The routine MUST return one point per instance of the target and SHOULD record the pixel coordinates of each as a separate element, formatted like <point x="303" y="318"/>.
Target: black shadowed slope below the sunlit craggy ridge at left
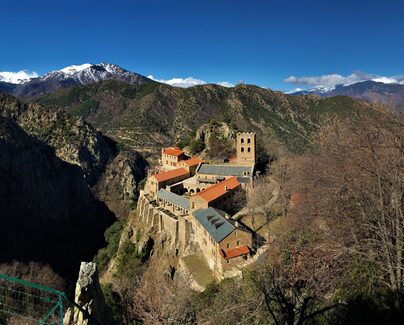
<point x="47" y="211"/>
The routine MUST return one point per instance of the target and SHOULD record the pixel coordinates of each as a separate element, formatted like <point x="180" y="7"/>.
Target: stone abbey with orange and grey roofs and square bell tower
<point x="196" y="203"/>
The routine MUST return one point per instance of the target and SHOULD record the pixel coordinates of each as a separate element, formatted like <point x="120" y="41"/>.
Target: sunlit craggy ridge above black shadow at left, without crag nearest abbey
<point x="75" y="141"/>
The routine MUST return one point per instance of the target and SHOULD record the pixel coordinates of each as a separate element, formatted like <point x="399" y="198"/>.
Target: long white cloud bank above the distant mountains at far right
<point x="337" y="79"/>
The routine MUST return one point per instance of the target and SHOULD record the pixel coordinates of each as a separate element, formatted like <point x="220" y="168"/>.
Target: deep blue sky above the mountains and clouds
<point x="258" y="42"/>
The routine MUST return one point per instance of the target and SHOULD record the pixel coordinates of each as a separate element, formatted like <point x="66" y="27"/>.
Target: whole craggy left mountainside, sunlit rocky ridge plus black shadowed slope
<point x="61" y="182"/>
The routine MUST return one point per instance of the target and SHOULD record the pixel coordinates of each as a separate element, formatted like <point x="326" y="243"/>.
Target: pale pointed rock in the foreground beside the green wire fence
<point x="89" y="296"/>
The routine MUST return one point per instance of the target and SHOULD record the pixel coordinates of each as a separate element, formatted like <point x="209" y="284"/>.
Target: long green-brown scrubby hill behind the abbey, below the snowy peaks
<point x="155" y="114"/>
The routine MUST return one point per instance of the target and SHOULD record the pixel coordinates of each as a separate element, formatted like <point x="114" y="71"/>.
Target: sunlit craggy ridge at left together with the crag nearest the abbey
<point x="114" y="177"/>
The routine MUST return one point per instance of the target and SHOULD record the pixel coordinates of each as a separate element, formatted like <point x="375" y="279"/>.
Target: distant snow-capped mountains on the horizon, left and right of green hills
<point x="391" y="95"/>
